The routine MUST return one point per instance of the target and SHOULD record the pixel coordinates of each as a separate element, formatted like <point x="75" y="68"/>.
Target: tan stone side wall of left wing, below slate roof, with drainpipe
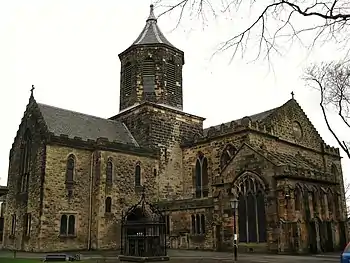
<point x="105" y="227"/>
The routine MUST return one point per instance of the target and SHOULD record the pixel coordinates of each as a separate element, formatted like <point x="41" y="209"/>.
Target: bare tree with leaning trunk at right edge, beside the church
<point x="333" y="82"/>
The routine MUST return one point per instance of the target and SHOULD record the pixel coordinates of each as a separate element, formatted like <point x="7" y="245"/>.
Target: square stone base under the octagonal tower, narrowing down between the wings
<point x="163" y="128"/>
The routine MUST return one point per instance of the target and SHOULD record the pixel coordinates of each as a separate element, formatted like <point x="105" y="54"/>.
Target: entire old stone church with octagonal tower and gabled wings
<point x="71" y="175"/>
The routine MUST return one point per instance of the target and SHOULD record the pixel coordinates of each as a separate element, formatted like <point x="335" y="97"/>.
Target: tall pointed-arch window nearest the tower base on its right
<point x="201" y="177"/>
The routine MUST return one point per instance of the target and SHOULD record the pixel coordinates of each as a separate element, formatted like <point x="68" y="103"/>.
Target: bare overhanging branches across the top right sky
<point x="276" y="21"/>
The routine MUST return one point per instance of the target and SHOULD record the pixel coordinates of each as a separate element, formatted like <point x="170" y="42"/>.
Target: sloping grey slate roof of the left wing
<point x="61" y="121"/>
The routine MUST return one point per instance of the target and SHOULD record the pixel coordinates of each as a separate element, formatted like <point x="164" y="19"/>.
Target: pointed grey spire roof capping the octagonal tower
<point x="151" y="33"/>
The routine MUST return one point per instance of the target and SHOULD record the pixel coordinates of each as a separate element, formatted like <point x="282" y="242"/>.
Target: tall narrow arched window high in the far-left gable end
<point x="25" y="160"/>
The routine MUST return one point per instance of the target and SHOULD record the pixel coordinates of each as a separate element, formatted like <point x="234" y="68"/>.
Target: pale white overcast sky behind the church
<point x="69" y="51"/>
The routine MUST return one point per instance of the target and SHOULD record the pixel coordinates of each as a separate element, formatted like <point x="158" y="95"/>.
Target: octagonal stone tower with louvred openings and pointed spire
<point x="151" y="70"/>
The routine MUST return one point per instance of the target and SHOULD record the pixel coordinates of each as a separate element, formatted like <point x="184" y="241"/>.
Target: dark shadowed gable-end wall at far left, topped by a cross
<point x="30" y="201"/>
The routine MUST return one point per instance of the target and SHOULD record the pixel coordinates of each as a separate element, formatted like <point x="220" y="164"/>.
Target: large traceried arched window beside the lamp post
<point x="251" y="209"/>
